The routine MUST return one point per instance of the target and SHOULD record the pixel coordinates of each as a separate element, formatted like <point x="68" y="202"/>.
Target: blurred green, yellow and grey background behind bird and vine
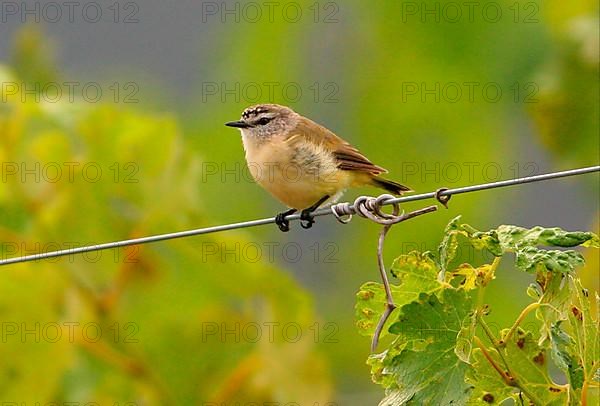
<point x="440" y="99"/>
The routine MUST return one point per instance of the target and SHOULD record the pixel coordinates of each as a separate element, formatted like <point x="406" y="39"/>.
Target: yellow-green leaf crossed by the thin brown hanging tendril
<point x="417" y="274"/>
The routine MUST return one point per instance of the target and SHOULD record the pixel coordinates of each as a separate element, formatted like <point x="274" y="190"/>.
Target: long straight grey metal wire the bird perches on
<point x="320" y="212"/>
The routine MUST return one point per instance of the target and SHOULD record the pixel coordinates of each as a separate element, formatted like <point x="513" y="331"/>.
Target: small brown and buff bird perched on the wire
<point x="302" y="163"/>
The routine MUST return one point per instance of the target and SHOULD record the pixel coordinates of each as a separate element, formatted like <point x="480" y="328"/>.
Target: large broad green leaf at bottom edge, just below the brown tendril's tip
<point x="425" y="367"/>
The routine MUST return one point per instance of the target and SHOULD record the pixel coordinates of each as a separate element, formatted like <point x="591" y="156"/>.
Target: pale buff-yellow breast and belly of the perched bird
<point x="298" y="175"/>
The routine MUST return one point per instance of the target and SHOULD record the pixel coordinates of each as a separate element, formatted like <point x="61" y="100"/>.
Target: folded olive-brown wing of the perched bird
<point x="346" y="156"/>
